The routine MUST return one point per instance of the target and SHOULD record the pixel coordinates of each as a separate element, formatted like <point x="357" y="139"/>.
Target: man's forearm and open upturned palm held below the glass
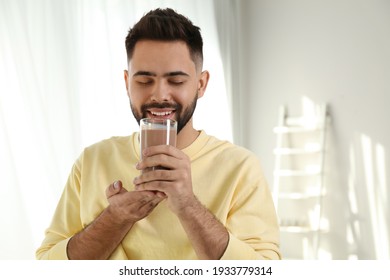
<point x="100" y="238"/>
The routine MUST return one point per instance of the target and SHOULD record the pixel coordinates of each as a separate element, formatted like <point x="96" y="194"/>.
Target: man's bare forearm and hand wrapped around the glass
<point x="208" y="236"/>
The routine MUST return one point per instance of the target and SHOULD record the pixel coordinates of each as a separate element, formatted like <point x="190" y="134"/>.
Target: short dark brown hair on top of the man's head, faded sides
<point x="166" y="25"/>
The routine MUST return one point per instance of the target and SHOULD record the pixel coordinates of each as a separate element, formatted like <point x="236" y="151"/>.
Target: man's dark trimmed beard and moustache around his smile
<point x="181" y="116"/>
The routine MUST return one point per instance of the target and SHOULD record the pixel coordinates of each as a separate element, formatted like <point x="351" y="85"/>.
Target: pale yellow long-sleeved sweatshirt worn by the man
<point x="227" y="179"/>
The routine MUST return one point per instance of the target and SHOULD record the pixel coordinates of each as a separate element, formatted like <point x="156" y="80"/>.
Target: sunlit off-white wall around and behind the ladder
<point x="334" y="51"/>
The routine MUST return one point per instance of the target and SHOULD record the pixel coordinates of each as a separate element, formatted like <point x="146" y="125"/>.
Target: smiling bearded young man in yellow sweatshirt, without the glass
<point x="211" y="201"/>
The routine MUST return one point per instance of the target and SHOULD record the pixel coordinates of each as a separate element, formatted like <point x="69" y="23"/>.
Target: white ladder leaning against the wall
<point x="298" y="186"/>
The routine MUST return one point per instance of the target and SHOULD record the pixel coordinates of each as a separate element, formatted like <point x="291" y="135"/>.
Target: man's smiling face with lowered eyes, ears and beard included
<point x="163" y="82"/>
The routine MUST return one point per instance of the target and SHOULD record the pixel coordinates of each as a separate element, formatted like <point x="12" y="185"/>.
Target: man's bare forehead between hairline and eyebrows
<point x="161" y="56"/>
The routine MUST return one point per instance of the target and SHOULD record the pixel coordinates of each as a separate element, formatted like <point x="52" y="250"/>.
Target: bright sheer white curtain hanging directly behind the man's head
<point x="62" y="89"/>
